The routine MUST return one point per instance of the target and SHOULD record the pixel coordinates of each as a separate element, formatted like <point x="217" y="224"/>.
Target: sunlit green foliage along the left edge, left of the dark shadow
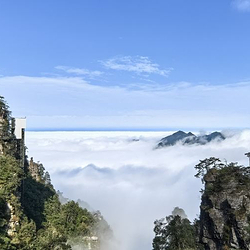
<point x="10" y="186"/>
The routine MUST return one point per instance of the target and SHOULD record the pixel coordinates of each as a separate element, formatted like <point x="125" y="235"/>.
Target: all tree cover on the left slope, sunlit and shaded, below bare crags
<point x="43" y="222"/>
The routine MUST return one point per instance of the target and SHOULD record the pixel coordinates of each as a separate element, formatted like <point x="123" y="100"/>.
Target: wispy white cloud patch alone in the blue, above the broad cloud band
<point x="137" y="64"/>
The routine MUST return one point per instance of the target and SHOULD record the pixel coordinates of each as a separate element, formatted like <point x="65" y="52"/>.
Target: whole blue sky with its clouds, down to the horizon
<point x="126" y="64"/>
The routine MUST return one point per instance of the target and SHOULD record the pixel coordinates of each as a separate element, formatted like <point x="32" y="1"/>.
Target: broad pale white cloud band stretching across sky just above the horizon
<point x="71" y="102"/>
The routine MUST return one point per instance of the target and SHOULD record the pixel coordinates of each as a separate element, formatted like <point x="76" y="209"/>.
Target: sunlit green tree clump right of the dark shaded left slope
<point x="64" y="222"/>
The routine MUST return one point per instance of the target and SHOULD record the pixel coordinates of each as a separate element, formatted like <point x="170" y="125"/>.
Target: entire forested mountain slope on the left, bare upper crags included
<point x="31" y="215"/>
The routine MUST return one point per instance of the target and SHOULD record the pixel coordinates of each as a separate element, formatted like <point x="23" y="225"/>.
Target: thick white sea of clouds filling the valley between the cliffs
<point x="126" y="178"/>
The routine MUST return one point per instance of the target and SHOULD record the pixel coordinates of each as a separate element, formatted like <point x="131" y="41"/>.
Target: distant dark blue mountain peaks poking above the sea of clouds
<point x="189" y="138"/>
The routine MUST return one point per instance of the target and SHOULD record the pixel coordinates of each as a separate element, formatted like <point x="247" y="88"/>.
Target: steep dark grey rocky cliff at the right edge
<point x="225" y="209"/>
